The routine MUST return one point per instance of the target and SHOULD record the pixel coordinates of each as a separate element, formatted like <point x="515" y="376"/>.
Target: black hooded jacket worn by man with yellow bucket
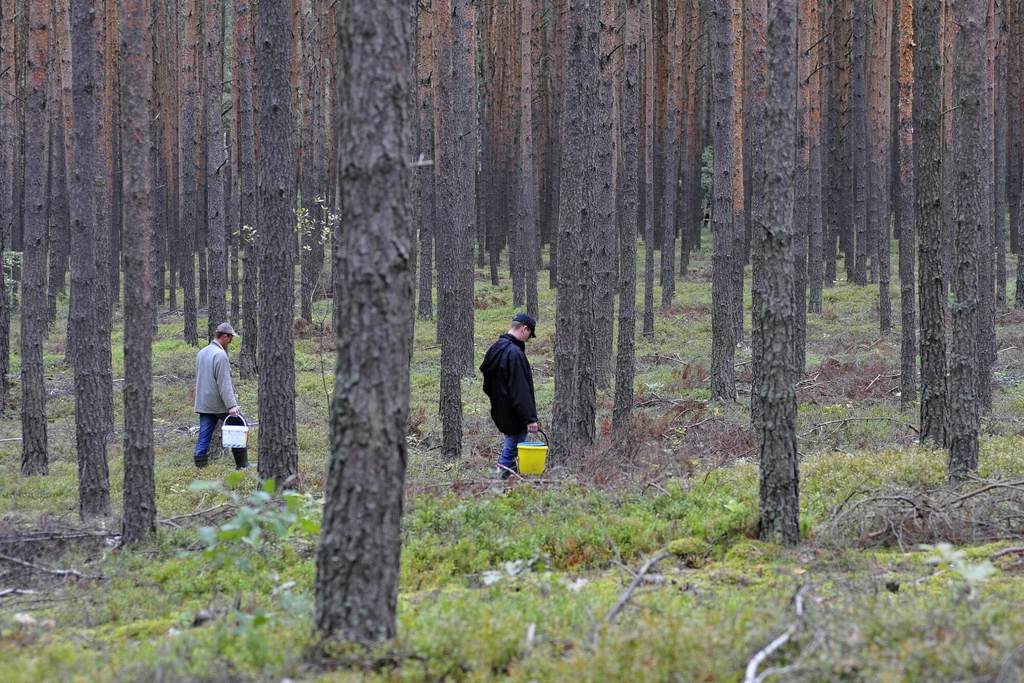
<point x="508" y="381"/>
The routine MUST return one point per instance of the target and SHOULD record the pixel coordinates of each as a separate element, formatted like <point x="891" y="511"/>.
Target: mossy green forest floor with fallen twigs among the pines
<point x="639" y="567"/>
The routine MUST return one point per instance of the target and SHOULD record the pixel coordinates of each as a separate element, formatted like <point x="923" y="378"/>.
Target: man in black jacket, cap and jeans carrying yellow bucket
<point x="508" y="381"/>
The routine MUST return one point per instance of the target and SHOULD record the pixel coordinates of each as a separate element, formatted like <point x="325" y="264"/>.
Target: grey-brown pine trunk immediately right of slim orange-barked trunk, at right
<point x="929" y="190"/>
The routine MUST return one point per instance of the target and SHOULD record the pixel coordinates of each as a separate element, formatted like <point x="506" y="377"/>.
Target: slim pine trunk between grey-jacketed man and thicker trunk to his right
<point x="248" y="198"/>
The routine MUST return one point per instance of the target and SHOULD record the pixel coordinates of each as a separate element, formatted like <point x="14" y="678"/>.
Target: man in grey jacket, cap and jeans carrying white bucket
<point x="216" y="396"/>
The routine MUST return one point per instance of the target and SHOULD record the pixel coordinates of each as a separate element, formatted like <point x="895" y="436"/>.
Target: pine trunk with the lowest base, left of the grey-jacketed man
<point x="140" y="486"/>
